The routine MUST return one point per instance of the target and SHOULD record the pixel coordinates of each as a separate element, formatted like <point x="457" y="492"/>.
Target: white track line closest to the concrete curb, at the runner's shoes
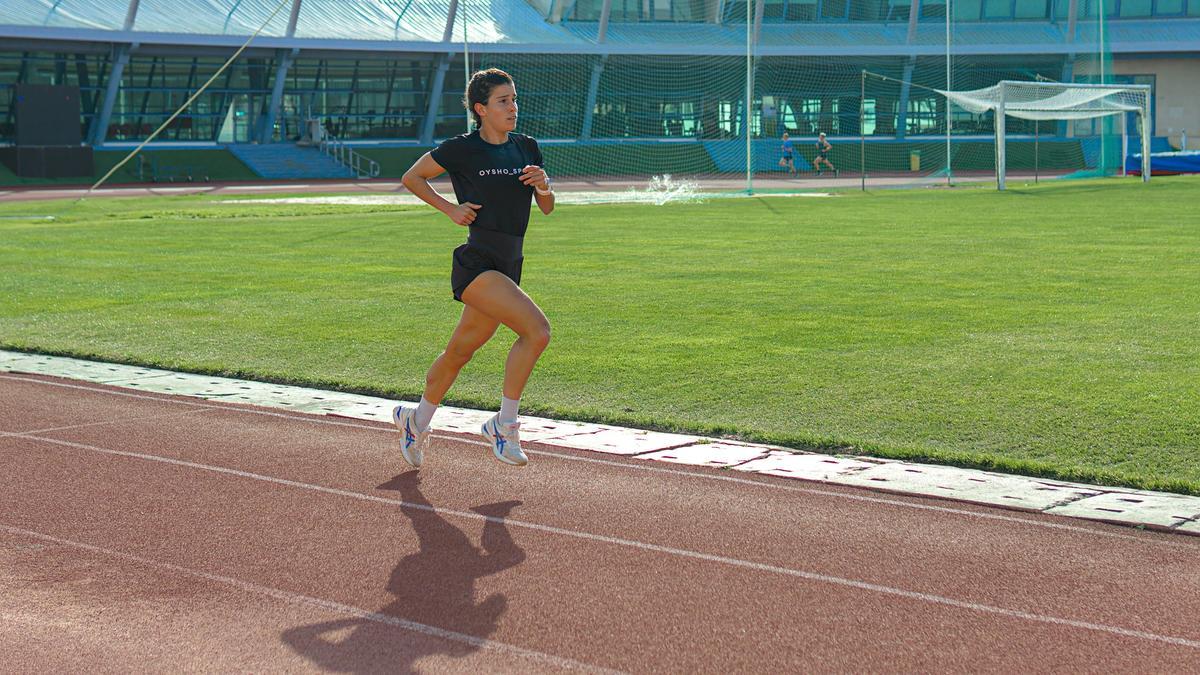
<point x="1147" y="539"/>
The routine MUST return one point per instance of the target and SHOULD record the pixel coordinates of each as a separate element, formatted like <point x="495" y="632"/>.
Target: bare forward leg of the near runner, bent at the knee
<point x="499" y="297"/>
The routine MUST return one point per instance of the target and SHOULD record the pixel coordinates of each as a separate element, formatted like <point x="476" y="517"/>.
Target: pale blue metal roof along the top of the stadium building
<point x="519" y="26"/>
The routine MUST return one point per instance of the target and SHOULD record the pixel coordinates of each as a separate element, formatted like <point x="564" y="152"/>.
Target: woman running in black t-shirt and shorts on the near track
<point x="495" y="172"/>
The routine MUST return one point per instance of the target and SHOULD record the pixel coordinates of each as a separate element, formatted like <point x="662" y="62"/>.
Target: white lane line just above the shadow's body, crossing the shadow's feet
<point x="657" y="548"/>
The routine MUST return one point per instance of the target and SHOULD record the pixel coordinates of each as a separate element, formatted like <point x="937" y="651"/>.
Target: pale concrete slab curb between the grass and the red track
<point x="1139" y="509"/>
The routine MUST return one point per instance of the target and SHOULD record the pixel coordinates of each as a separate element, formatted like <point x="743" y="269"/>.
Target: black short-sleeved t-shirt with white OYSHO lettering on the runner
<point x="490" y="176"/>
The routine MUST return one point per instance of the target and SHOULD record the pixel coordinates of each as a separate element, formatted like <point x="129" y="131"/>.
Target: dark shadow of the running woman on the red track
<point x="435" y="612"/>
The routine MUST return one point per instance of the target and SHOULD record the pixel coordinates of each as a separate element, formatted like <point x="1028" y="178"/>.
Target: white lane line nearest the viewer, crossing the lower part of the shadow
<point x="298" y="599"/>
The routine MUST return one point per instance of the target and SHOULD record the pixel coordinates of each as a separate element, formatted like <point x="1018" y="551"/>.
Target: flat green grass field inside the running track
<point x="1048" y="331"/>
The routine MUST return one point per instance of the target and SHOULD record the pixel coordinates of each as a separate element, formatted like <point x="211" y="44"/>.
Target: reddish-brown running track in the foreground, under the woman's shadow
<point x="151" y="533"/>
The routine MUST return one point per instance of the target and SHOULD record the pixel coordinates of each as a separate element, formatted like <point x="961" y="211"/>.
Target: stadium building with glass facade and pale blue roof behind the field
<point x="392" y="73"/>
